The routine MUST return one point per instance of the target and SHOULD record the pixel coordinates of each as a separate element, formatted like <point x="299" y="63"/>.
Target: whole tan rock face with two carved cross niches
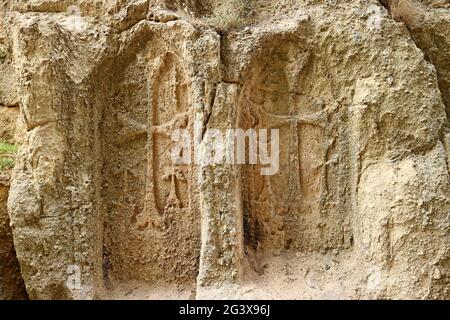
<point x="358" y="208"/>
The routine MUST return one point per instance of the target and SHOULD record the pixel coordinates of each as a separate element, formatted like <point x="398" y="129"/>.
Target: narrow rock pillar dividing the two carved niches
<point x="221" y="251"/>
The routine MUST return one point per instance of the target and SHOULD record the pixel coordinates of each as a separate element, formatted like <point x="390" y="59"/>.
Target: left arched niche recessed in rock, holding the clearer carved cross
<point x="152" y="225"/>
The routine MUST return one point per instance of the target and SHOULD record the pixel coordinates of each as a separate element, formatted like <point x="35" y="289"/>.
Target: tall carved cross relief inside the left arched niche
<point x="168" y="111"/>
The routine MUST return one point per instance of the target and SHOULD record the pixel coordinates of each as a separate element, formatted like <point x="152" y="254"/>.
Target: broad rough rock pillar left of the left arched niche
<point x="53" y="202"/>
